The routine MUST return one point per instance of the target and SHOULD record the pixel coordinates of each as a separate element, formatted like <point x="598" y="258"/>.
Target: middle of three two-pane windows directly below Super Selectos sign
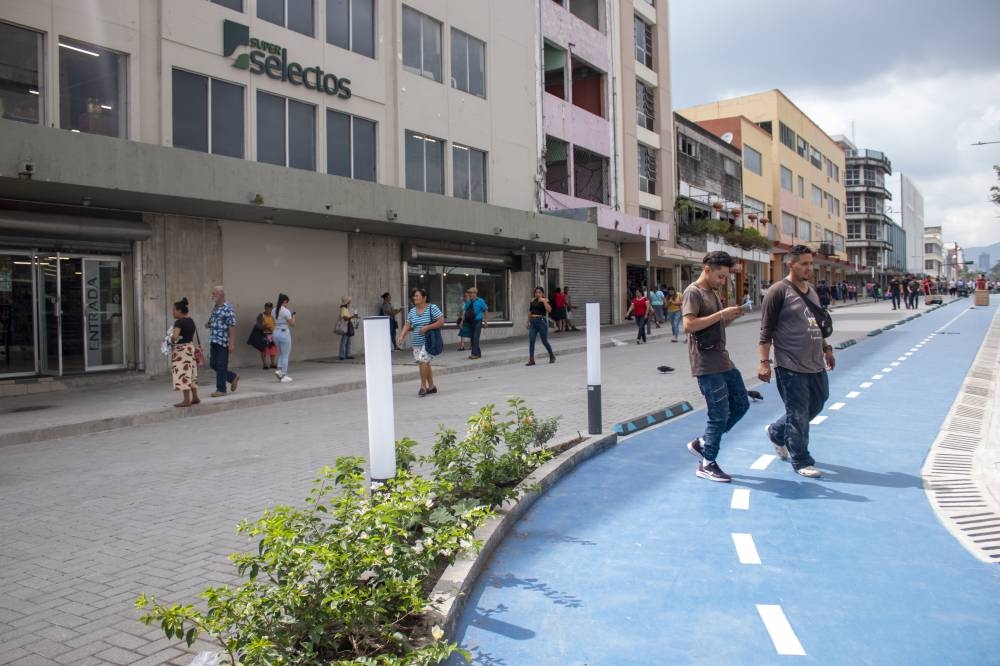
<point x="286" y="132"/>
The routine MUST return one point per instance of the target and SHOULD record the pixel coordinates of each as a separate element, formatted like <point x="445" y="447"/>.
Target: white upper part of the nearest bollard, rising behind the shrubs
<point x="378" y="393"/>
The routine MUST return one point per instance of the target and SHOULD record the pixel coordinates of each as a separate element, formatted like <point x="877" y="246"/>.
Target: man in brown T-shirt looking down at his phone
<point x="705" y="321"/>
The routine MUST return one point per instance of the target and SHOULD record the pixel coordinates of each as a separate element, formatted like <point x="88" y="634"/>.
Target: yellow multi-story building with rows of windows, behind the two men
<point x="799" y="181"/>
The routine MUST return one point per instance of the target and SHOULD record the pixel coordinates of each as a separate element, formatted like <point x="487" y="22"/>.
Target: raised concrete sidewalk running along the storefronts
<point x="121" y="404"/>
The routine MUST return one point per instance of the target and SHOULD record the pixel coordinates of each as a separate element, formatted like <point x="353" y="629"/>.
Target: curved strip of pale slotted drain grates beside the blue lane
<point x="956" y="493"/>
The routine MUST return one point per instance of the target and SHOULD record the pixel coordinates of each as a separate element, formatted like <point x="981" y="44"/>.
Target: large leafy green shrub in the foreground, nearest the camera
<point x="340" y="581"/>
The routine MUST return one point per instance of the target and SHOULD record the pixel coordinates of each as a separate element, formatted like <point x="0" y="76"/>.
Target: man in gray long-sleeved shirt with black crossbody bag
<point x="801" y="359"/>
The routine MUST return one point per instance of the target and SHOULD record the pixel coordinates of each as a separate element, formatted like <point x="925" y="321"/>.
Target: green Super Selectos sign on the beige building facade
<point x="272" y="60"/>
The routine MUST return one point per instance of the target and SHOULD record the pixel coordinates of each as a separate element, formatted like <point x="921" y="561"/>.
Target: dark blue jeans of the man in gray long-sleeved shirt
<point x="804" y="395"/>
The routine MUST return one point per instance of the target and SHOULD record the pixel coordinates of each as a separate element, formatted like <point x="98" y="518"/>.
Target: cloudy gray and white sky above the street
<point x="919" y="79"/>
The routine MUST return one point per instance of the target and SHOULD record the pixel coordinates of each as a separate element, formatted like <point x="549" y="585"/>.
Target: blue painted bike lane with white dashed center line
<point x="631" y="559"/>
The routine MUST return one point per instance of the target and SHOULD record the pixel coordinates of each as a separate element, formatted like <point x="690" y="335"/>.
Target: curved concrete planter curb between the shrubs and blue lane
<point x="452" y="590"/>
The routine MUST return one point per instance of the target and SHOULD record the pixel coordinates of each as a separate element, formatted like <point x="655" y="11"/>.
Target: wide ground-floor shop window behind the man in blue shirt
<point x="446" y="286"/>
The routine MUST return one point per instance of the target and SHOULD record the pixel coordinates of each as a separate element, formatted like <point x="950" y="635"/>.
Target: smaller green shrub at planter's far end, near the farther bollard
<point x="494" y="456"/>
